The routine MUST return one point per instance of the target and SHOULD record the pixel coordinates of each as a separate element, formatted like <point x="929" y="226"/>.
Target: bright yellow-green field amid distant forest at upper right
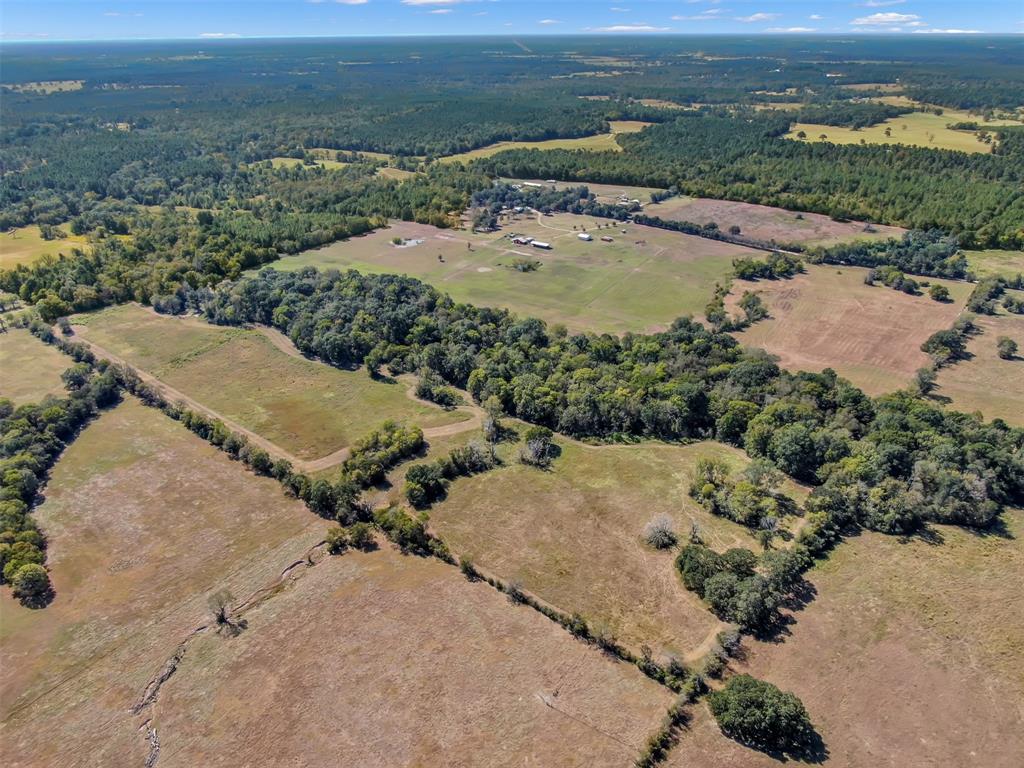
<point x="916" y="130"/>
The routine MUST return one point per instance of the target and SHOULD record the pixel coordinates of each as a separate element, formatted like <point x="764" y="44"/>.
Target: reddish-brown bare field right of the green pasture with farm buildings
<point x="828" y="318"/>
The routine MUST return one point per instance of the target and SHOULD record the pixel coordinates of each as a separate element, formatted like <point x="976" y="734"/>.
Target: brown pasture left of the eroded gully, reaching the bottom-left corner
<point x="144" y="522"/>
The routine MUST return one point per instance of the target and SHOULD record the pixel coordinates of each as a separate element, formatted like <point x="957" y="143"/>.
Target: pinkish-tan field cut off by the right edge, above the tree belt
<point x="987" y="382"/>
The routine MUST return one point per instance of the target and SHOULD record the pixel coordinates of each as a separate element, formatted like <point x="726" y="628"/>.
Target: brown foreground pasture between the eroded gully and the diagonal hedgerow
<point x="420" y="667"/>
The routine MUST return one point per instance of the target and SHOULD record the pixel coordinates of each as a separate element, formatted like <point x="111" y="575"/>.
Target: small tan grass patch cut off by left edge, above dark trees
<point x="30" y="370"/>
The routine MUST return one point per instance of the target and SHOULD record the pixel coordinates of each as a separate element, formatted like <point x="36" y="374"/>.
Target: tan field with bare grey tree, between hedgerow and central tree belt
<point x="573" y="536"/>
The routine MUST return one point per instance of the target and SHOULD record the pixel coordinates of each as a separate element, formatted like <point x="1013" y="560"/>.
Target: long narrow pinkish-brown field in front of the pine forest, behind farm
<point x="766" y="224"/>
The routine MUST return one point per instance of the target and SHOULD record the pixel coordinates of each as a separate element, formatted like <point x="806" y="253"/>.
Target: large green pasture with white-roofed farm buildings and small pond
<point x="643" y="281"/>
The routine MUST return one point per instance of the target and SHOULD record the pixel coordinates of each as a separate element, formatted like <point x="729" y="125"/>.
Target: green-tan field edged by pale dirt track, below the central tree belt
<point x="308" y="408"/>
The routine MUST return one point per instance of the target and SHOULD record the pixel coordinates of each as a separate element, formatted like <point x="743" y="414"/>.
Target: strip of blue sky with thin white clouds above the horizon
<point x="86" y="20"/>
